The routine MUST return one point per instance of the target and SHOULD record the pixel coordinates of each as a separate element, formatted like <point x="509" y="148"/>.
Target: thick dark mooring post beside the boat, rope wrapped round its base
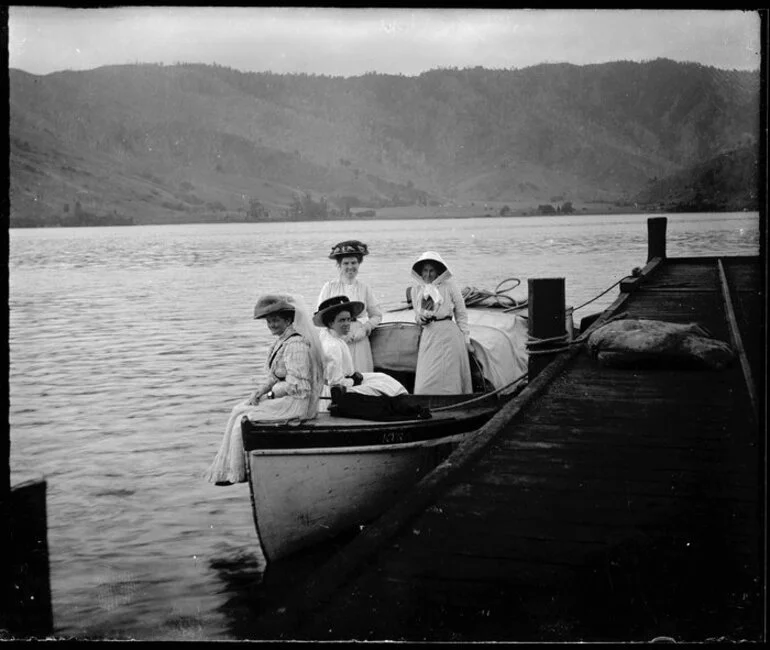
<point x="547" y="321"/>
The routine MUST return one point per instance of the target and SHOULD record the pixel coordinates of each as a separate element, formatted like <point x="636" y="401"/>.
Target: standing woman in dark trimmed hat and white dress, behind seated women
<point x="349" y="255"/>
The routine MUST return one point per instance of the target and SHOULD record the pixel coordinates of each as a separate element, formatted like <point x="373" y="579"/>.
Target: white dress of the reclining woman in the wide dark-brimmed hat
<point x="339" y="366"/>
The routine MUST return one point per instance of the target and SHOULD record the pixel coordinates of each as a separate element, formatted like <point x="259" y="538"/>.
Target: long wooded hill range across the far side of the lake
<point x="153" y="143"/>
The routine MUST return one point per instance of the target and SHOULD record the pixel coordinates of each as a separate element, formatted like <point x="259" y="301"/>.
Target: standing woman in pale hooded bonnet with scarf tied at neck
<point x="442" y="359"/>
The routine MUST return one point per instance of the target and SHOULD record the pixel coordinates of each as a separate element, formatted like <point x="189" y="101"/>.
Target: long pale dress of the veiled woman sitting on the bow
<point x="289" y="364"/>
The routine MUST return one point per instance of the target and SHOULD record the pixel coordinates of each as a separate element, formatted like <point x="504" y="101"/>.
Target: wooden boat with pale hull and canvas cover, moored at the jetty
<point x="313" y="481"/>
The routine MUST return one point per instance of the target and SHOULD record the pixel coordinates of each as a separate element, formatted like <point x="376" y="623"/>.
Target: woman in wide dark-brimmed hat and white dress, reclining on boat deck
<point x="335" y="315"/>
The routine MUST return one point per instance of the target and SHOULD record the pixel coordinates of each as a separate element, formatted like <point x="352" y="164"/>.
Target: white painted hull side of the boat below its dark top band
<point x="304" y="496"/>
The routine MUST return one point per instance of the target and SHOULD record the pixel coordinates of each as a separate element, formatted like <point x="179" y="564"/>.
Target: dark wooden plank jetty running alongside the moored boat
<point x="599" y="505"/>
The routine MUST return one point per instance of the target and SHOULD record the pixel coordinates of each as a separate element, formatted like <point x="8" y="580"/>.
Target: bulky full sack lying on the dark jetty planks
<point x="642" y="343"/>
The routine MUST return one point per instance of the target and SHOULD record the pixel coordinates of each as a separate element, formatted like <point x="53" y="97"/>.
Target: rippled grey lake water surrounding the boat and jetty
<point x="128" y="347"/>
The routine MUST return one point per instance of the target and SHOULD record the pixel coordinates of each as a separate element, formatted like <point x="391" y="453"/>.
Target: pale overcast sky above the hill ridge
<point x="353" y="41"/>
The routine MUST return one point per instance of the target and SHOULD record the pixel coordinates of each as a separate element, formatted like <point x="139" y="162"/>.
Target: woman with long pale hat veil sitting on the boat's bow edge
<point x="294" y="369"/>
